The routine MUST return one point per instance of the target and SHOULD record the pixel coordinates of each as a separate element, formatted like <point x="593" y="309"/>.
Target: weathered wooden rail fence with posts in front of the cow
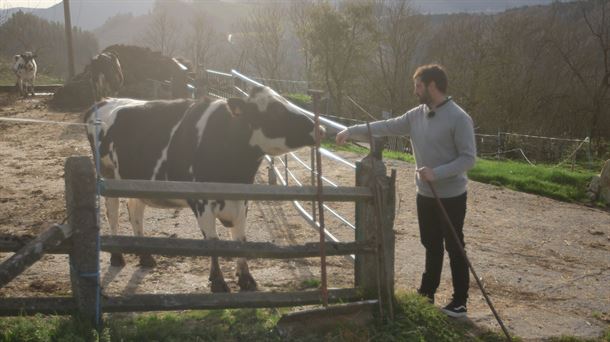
<point x="374" y="195"/>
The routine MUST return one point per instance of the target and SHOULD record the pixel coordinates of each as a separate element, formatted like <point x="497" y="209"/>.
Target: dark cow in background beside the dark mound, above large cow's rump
<point x="106" y="75"/>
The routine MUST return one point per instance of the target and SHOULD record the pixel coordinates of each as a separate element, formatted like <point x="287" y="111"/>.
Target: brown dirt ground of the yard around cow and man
<point x="546" y="264"/>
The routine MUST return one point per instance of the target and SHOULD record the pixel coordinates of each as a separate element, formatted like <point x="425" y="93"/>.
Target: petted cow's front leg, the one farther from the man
<point x="207" y="223"/>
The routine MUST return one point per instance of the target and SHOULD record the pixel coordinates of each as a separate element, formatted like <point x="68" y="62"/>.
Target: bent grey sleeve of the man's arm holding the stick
<point x="466" y="148"/>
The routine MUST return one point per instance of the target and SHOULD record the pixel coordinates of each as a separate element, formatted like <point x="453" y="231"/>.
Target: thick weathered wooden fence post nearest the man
<point x="375" y="221"/>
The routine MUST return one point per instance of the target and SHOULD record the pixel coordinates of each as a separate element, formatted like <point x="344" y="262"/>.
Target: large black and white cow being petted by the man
<point x="202" y="141"/>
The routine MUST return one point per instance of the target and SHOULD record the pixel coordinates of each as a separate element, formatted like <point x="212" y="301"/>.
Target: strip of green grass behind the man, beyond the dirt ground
<point x="545" y="180"/>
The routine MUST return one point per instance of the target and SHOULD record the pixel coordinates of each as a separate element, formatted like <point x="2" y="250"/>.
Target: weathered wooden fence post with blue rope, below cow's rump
<point x="82" y="218"/>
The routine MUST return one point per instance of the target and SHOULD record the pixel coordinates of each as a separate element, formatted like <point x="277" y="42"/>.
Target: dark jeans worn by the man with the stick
<point x="434" y="230"/>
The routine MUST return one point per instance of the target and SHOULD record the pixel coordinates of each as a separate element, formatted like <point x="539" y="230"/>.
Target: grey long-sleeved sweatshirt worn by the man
<point x="443" y="142"/>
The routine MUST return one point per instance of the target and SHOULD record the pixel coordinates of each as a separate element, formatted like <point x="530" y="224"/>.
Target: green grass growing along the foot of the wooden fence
<point x="416" y="320"/>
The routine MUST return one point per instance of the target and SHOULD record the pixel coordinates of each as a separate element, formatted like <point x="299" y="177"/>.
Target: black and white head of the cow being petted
<point x="277" y="127"/>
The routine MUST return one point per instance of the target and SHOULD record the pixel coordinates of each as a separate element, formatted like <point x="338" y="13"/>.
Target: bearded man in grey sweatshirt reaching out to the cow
<point x="442" y="137"/>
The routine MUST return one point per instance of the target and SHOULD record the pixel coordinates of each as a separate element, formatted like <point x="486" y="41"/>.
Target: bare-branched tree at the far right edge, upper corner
<point x="584" y="49"/>
